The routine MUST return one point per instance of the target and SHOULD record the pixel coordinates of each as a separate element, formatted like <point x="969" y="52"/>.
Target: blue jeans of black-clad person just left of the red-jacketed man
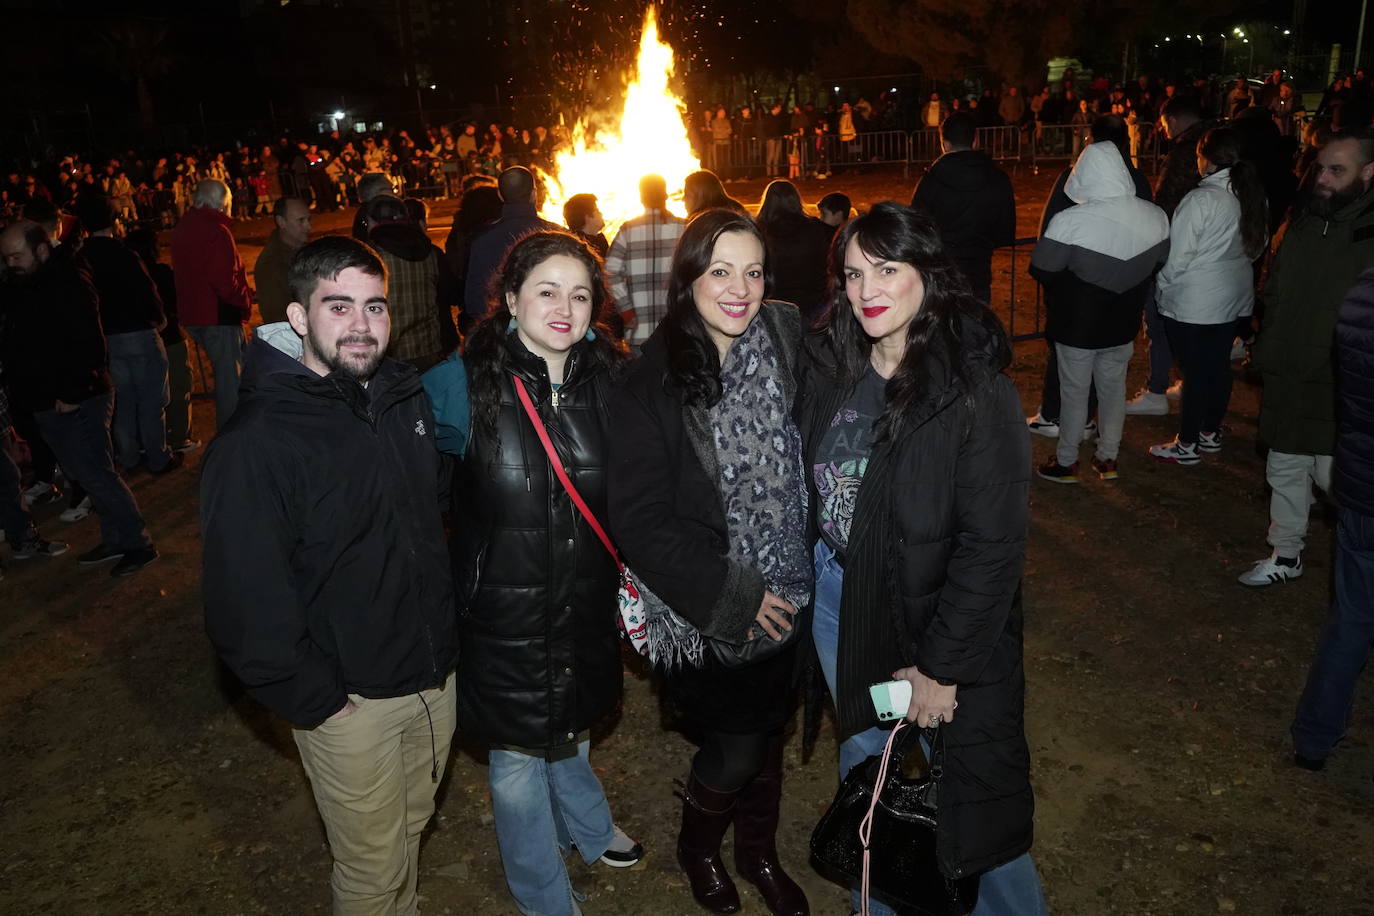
<point x="139" y="369"/>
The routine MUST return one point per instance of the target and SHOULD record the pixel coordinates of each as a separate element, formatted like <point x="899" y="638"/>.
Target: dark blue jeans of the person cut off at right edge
<point x="1347" y="638"/>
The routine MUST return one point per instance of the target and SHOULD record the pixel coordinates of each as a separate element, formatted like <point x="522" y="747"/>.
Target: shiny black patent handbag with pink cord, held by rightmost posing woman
<point x="898" y="833"/>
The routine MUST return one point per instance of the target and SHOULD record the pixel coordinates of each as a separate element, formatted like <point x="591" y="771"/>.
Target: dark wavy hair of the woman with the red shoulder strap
<point x="486" y="354"/>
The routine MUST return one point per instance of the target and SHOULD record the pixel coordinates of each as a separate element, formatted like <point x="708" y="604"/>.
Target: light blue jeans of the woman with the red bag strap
<point x="542" y="808"/>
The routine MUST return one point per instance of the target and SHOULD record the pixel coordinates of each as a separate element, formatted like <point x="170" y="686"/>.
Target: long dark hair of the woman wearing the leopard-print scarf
<point x="693" y="359"/>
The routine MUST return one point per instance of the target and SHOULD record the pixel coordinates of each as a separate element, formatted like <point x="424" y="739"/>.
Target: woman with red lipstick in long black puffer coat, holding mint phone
<point x="919" y="462"/>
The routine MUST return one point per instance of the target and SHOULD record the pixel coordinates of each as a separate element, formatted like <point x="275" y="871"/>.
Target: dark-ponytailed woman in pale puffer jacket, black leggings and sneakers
<point x="1207" y="285"/>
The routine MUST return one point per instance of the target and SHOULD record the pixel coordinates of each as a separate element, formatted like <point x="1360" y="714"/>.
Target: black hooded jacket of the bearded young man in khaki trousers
<point x="325" y="566"/>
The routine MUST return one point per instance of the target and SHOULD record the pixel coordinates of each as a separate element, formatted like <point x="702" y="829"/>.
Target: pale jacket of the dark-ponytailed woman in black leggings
<point x="1208" y="278"/>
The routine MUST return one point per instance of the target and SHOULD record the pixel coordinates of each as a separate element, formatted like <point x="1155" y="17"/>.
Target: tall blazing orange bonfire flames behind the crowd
<point x="651" y="138"/>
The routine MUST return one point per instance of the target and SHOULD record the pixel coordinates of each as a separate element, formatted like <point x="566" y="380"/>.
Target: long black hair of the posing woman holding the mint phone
<point x="938" y="336"/>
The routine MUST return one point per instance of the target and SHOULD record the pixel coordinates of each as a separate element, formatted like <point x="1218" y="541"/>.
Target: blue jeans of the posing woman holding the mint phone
<point x="1006" y="891"/>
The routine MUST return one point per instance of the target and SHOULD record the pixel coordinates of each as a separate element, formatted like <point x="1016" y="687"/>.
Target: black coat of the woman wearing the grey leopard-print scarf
<point x="668" y="520"/>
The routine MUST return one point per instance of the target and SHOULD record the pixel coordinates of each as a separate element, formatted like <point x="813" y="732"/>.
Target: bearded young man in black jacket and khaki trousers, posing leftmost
<point x="326" y="576"/>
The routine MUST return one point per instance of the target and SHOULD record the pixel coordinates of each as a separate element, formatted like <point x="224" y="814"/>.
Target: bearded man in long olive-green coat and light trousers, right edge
<point x="1321" y="253"/>
